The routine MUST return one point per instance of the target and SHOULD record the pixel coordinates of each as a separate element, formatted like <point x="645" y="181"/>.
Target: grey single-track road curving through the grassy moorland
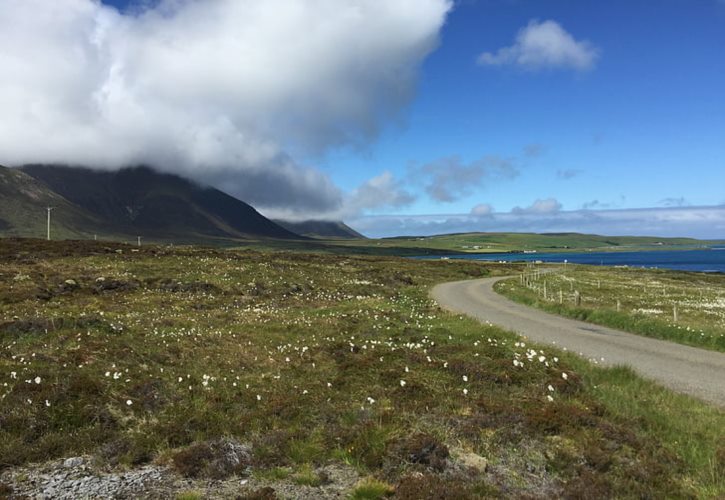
<point x="685" y="369"/>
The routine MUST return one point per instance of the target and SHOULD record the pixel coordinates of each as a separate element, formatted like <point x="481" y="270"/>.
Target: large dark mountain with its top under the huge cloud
<point x="140" y="201"/>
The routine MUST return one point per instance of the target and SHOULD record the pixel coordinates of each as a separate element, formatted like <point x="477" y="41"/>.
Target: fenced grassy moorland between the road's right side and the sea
<point x="683" y="307"/>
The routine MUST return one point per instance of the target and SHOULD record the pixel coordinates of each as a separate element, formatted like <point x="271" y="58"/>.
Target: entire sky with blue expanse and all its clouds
<point x="404" y="117"/>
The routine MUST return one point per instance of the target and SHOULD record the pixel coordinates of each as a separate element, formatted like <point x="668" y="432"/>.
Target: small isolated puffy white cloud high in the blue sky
<point x="544" y="45"/>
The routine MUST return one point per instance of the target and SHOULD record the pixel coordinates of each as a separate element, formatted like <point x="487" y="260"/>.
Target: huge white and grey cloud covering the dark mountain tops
<point x="210" y="88"/>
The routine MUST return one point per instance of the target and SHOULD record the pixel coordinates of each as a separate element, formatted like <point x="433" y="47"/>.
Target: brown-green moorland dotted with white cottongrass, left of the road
<point x="145" y="356"/>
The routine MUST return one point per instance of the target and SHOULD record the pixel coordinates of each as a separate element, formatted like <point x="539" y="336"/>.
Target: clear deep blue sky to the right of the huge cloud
<point x="644" y="127"/>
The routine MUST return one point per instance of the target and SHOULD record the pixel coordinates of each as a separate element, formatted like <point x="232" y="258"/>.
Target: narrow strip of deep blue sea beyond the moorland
<point x="706" y="260"/>
